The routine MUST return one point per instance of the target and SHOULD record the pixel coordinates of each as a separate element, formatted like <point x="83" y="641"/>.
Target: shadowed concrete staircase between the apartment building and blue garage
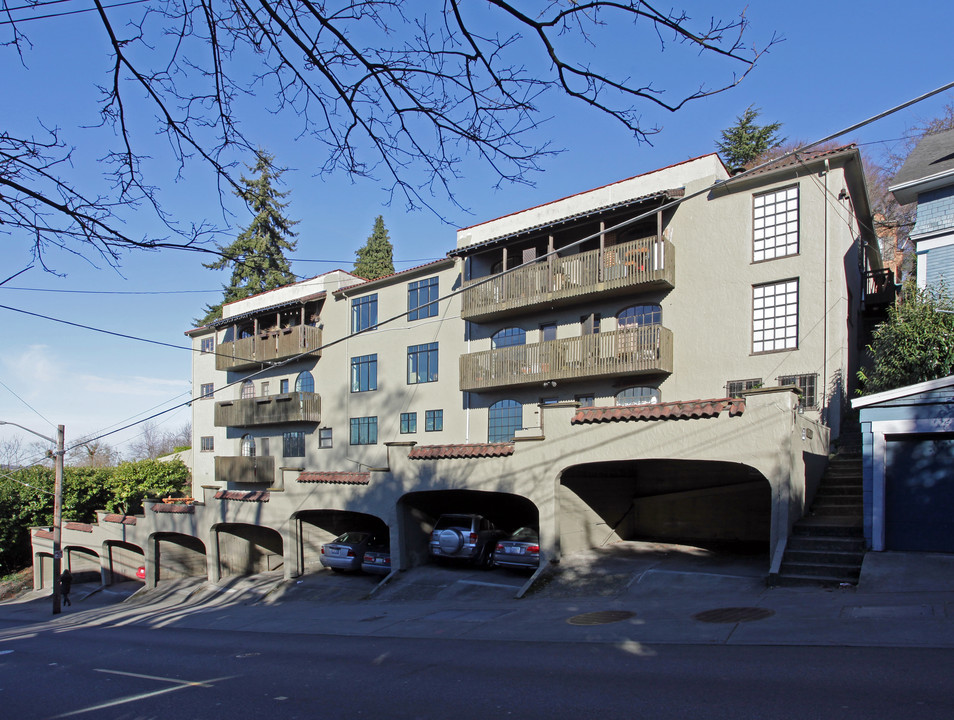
<point x="827" y="546"/>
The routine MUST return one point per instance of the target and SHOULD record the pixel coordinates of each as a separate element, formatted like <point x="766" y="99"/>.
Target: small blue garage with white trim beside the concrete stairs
<point x="908" y="446"/>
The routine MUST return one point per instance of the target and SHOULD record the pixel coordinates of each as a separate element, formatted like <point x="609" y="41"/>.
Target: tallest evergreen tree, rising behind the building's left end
<point x="257" y="257"/>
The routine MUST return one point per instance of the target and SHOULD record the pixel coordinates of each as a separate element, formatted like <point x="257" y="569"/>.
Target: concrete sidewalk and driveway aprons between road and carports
<point x="902" y="600"/>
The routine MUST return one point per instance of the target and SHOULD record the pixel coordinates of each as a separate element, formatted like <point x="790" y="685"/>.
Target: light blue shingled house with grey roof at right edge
<point x="927" y="177"/>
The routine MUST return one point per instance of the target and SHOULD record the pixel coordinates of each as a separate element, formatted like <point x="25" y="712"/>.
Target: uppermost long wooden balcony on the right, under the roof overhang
<point x="643" y="264"/>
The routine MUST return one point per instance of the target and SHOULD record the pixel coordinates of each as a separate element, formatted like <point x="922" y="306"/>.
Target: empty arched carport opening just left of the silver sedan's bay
<point x="244" y="549"/>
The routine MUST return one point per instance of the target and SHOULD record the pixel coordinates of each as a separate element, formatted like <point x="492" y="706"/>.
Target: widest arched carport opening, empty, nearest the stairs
<point x="668" y="500"/>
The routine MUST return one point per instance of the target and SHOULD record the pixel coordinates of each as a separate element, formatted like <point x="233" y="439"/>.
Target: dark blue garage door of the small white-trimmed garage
<point x="919" y="493"/>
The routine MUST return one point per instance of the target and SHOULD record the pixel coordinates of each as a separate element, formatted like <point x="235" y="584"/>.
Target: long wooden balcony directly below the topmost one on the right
<point x="637" y="351"/>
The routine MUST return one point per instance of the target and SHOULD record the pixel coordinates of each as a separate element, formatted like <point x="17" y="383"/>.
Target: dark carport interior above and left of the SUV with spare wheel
<point x="418" y="511"/>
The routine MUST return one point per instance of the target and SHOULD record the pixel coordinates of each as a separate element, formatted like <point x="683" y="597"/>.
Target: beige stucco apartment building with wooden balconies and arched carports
<point x="664" y="357"/>
